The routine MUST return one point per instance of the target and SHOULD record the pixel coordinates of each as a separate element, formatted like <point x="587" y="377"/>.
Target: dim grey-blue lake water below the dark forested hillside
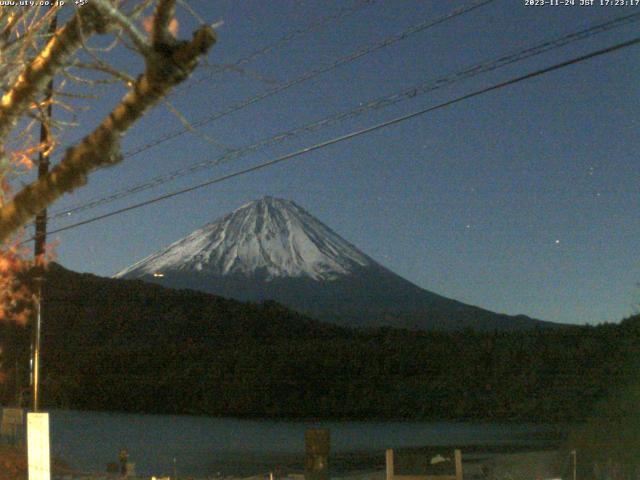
<point x="206" y="446"/>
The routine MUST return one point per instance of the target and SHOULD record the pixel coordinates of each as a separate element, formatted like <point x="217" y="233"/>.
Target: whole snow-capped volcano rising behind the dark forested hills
<point x="272" y="249"/>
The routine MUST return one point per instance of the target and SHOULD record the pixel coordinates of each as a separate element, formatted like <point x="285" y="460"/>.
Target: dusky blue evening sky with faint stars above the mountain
<point x="523" y="200"/>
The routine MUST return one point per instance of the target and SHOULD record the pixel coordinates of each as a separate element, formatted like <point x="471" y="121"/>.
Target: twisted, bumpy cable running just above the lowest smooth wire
<point x="409" y="93"/>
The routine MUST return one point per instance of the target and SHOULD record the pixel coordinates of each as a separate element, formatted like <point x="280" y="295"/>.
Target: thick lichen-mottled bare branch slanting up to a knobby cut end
<point x="168" y="65"/>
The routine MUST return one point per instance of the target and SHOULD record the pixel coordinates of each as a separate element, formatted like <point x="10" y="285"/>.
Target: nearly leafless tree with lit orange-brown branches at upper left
<point x="31" y="55"/>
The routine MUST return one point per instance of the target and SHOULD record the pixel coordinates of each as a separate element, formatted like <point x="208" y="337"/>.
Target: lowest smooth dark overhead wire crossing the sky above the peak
<point x="354" y="134"/>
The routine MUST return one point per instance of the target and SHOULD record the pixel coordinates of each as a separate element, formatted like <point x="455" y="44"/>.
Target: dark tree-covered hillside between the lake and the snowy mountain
<point x="131" y="346"/>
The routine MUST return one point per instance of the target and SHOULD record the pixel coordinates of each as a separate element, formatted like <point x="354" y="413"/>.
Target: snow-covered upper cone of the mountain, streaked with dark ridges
<point x="271" y="238"/>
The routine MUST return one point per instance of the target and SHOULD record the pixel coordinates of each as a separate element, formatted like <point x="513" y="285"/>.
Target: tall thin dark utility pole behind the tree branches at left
<point x="41" y="229"/>
